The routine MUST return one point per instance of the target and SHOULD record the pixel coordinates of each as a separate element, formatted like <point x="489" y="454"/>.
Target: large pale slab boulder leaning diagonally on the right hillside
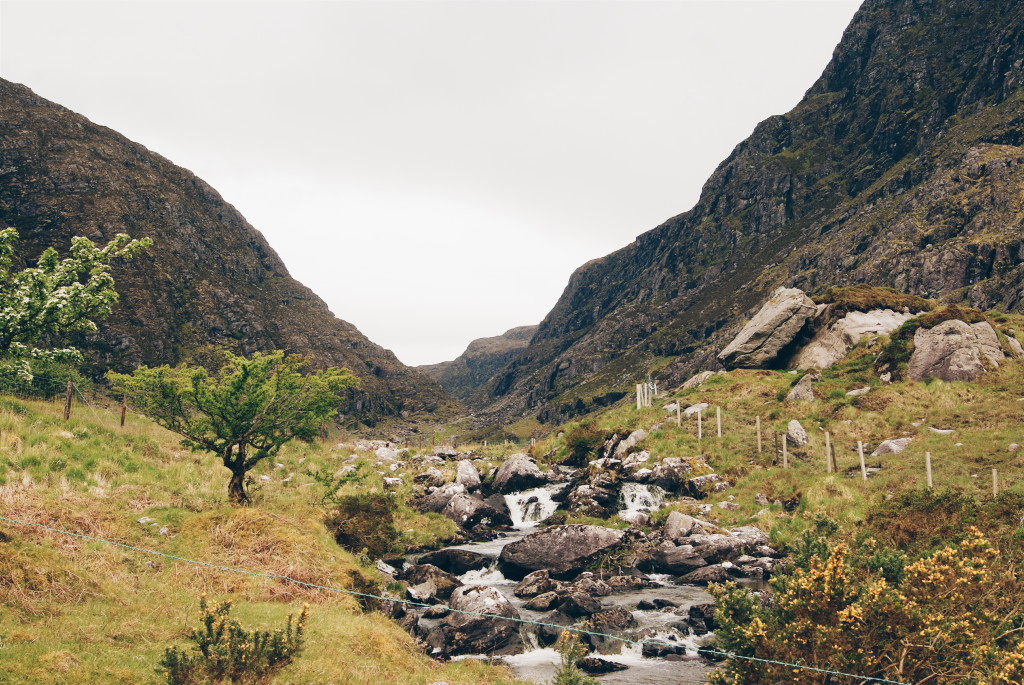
<point x="775" y="327"/>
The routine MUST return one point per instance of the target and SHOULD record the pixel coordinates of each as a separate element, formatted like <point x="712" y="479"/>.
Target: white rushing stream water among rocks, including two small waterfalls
<point x="539" y="665"/>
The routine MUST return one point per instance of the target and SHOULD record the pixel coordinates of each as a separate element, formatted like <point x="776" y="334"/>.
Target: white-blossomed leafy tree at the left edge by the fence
<point x="56" y="297"/>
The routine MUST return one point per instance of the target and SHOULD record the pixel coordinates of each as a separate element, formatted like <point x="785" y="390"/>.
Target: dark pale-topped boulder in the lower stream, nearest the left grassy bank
<point x="473" y="634"/>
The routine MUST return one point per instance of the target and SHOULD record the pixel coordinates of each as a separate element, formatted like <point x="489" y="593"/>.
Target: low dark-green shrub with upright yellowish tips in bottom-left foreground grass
<point x="226" y="652"/>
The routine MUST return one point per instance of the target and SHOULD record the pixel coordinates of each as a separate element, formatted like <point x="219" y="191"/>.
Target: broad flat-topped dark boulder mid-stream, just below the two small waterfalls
<point x="564" y="550"/>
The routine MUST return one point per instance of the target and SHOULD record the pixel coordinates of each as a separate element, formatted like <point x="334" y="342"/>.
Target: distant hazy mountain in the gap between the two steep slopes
<point x="483" y="359"/>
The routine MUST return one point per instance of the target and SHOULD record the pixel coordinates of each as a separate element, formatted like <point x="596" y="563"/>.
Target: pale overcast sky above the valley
<point x="434" y="170"/>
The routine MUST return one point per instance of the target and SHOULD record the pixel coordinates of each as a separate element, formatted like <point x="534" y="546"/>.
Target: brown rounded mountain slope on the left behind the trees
<point x="210" y="279"/>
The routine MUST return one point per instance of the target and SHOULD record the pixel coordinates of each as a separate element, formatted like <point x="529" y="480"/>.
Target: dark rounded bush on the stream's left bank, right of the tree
<point x="364" y="524"/>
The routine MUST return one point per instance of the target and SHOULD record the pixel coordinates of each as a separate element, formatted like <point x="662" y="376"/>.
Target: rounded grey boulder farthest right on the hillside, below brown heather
<point x="955" y="351"/>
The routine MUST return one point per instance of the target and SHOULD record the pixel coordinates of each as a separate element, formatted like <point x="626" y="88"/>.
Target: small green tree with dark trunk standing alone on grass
<point x="245" y="413"/>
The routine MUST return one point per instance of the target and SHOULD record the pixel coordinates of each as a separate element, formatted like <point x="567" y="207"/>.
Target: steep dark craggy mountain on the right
<point x="902" y="167"/>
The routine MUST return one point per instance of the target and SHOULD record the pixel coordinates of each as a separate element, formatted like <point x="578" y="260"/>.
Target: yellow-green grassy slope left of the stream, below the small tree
<point x="75" y="612"/>
